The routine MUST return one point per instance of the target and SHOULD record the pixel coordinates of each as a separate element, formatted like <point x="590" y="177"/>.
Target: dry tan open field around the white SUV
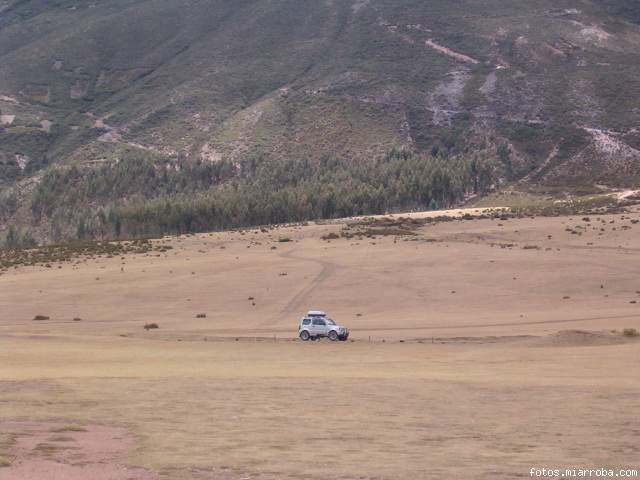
<point x="482" y="348"/>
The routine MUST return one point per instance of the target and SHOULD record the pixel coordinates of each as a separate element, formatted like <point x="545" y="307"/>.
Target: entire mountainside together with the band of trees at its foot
<point x="133" y="117"/>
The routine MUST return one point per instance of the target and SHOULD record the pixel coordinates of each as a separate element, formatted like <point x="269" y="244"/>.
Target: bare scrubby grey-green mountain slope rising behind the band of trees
<point x="550" y="90"/>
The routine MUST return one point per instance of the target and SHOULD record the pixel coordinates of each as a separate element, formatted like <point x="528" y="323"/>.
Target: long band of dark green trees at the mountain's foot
<point x="145" y="196"/>
